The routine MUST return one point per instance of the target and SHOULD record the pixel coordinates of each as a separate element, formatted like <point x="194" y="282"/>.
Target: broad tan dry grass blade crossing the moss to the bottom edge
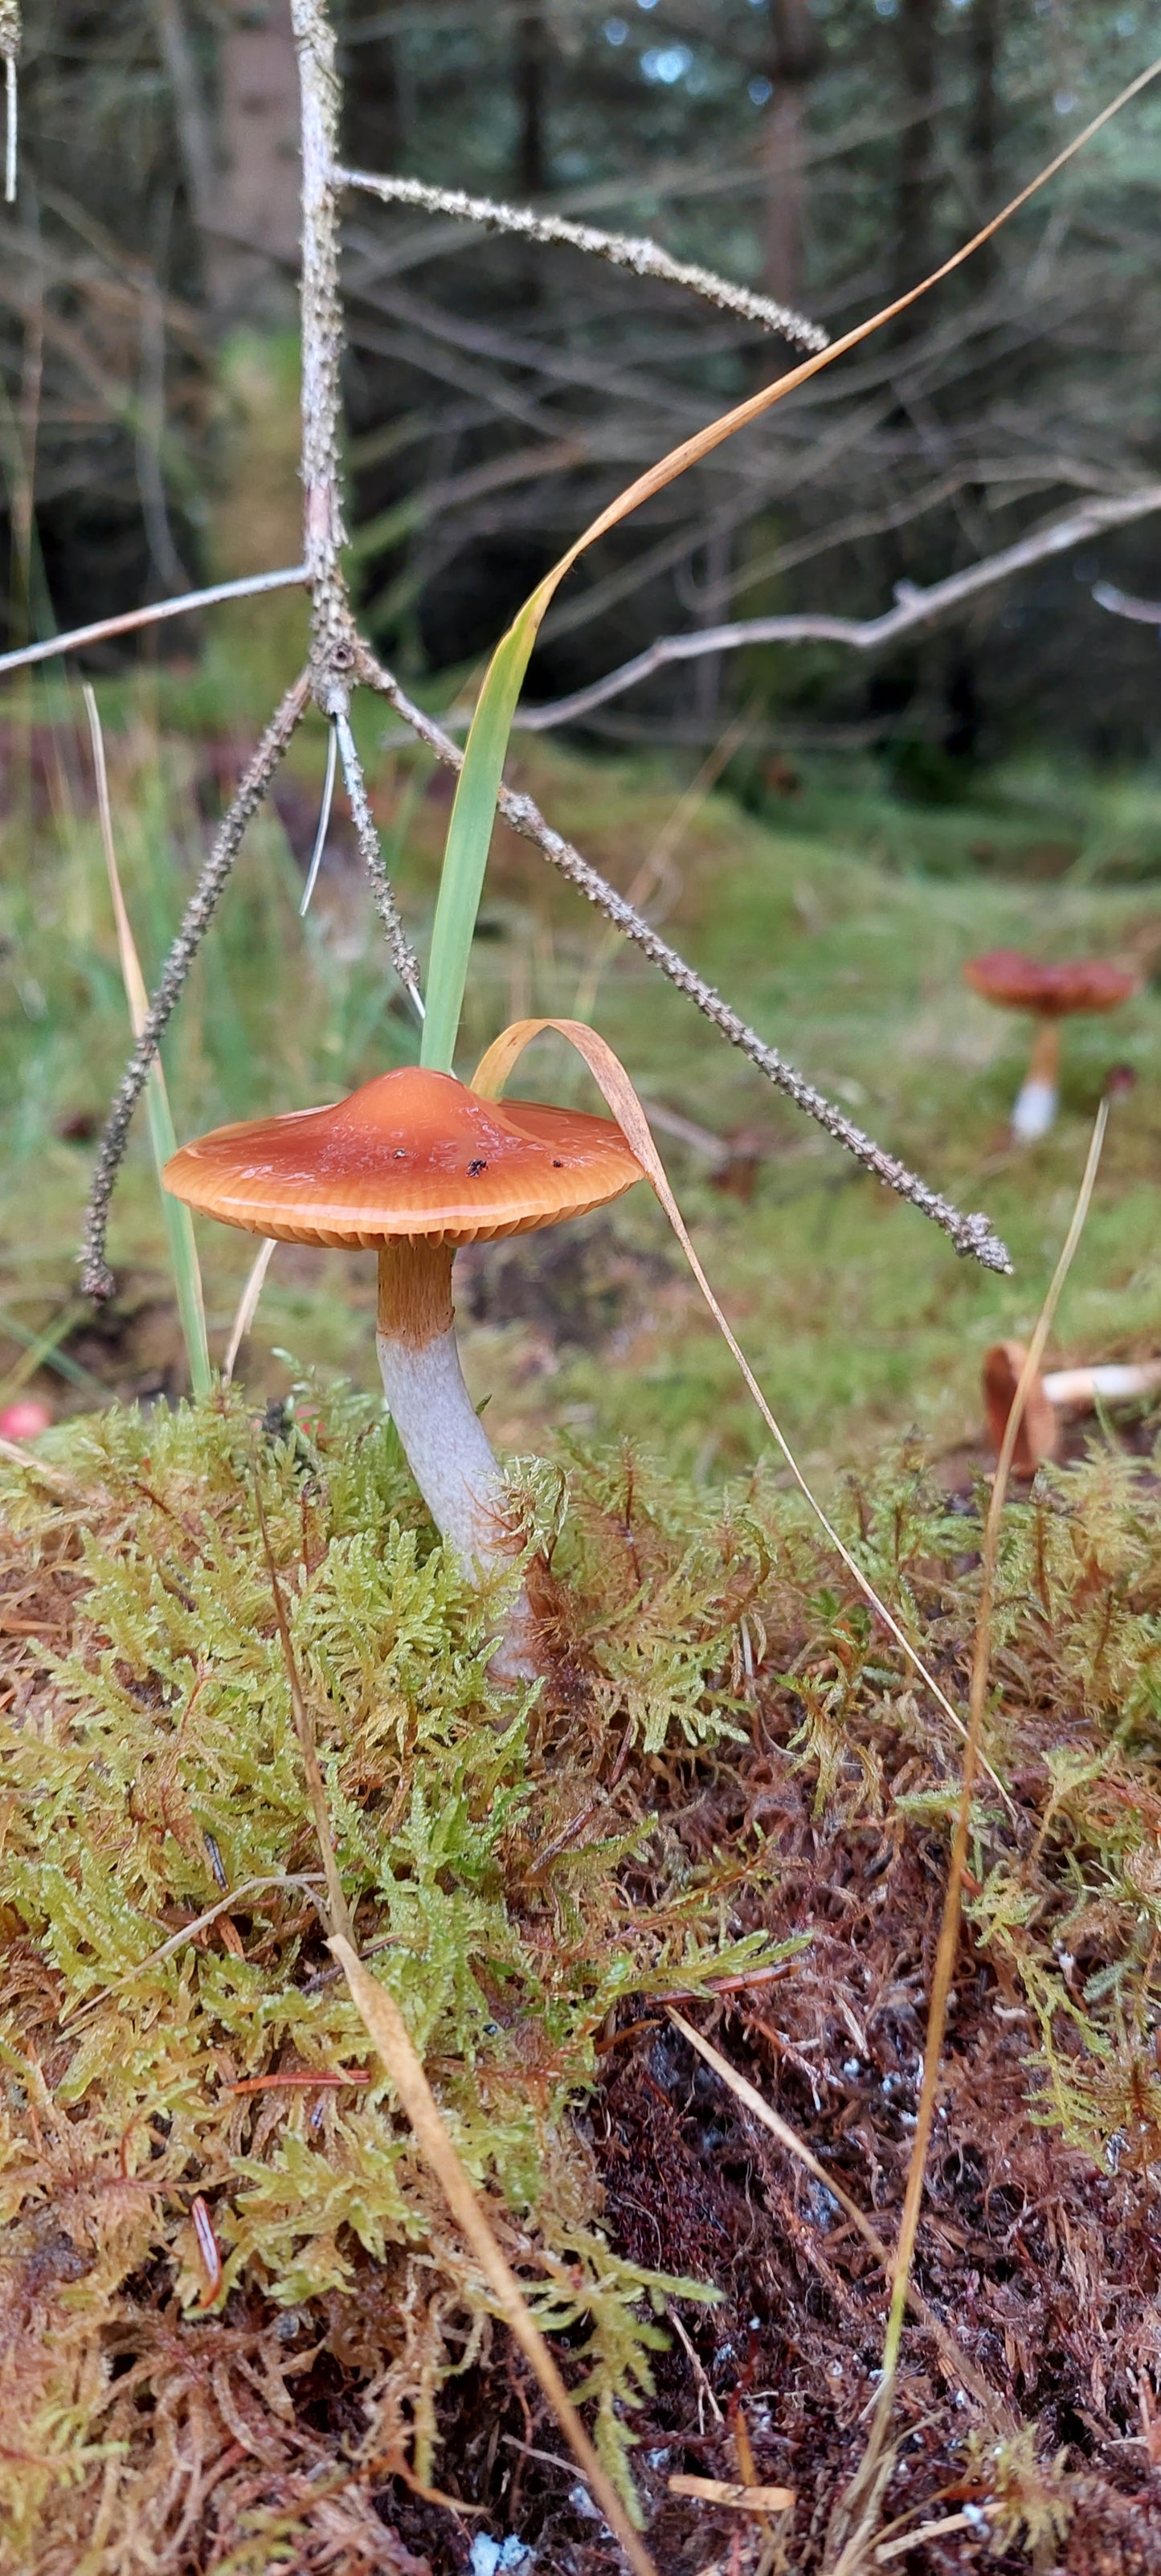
<point x="395" y="2047"/>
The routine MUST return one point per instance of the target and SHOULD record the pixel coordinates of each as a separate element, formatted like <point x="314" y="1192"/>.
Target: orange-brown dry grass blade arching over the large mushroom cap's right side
<point x="609" y="1073"/>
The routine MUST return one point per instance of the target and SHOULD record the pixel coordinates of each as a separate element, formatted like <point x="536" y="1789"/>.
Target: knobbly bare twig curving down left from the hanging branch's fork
<point x="97" y="1276"/>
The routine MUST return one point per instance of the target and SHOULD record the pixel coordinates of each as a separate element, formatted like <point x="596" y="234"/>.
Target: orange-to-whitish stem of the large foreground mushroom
<point x="444" y="1439"/>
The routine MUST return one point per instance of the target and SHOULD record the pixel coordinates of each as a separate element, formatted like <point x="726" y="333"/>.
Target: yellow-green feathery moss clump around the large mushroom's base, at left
<point x="153" y="1771"/>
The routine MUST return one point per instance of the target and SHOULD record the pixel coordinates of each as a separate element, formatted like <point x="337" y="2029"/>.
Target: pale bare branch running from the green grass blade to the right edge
<point x="864" y="635"/>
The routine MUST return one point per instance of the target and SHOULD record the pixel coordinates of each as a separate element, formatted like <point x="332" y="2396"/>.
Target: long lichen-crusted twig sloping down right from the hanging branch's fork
<point x="972" y="1235"/>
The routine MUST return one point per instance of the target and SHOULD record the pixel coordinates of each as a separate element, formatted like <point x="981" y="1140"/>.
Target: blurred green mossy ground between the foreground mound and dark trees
<point x="838" y="918"/>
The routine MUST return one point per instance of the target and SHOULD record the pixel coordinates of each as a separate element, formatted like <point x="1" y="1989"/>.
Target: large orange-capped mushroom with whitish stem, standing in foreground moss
<point x="416" y="1166"/>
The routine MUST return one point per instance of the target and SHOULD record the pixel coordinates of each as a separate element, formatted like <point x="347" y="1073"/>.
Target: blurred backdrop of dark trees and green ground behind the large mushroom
<point x="830" y="833"/>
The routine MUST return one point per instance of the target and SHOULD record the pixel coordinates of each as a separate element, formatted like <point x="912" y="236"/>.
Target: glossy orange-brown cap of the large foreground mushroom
<point x="408" y="1155"/>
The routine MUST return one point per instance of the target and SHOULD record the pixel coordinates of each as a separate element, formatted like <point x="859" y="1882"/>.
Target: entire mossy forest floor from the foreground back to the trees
<point x="730" y="1799"/>
